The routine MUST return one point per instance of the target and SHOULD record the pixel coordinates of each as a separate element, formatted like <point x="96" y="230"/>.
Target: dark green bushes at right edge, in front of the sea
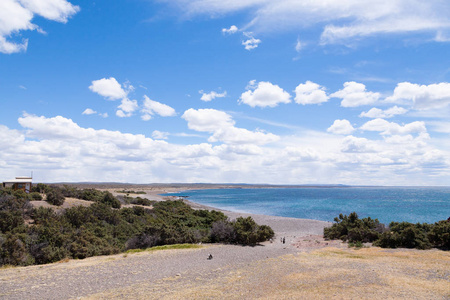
<point x="399" y="234"/>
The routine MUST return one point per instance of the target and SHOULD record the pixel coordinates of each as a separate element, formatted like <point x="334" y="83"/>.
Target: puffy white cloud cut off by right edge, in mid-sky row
<point x="423" y="97"/>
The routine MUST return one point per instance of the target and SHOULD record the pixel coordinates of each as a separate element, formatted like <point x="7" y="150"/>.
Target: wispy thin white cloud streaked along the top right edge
<point x="341" y="20"/>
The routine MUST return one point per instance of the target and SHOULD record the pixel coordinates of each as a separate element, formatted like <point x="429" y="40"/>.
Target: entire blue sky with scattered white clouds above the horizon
<point x="207" y="91"/>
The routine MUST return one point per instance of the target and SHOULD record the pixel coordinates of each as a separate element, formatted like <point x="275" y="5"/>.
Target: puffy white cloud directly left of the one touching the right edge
<point x="354" y="94"/>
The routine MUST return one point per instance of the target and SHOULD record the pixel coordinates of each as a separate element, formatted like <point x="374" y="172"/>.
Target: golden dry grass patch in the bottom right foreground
<point x="322" y="274"/>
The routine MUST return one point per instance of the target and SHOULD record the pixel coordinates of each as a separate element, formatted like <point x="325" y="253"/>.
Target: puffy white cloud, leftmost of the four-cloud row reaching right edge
<point x="265" y="94"/>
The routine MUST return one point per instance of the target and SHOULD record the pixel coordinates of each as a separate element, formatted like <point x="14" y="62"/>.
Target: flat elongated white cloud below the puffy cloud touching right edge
<point x="391" y="128"/>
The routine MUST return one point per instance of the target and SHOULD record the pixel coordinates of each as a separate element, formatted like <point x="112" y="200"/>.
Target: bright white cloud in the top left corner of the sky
<point x="16" y="16"/>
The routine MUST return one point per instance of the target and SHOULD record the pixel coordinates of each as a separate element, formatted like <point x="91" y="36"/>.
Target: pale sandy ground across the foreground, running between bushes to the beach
<point x="304" y="267"/>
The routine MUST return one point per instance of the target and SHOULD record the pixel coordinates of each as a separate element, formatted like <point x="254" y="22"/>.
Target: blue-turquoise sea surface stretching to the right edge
<point x="412" y="204"/>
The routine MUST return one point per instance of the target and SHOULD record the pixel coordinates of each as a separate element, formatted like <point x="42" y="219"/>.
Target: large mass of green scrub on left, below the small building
<point x="42" y="235"/>
